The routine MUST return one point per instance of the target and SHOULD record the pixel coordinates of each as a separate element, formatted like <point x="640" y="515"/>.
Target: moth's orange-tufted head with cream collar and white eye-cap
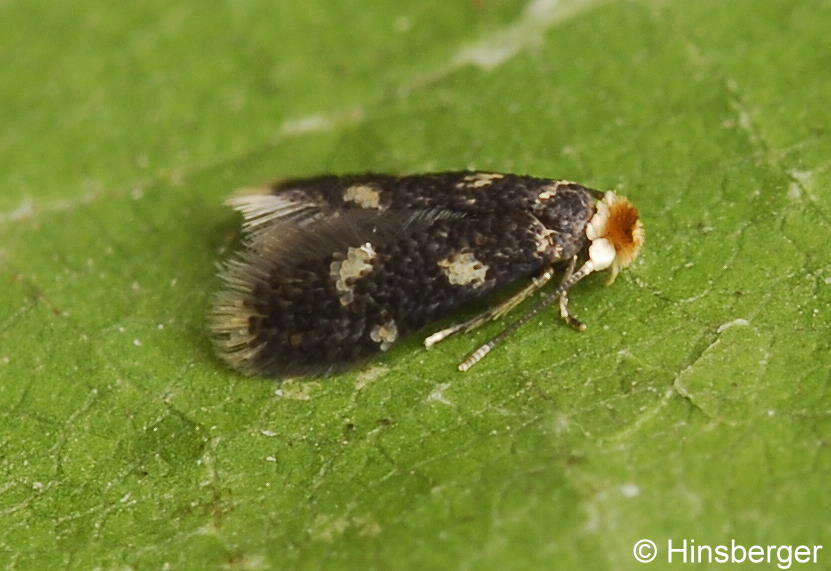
<point x="616" y="234"/>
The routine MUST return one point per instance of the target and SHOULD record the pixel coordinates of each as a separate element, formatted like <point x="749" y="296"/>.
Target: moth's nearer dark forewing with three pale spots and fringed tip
<point x="314" y="298"/>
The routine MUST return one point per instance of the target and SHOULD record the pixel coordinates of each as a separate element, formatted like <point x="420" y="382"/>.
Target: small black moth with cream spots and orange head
<point x="335" y="269"/>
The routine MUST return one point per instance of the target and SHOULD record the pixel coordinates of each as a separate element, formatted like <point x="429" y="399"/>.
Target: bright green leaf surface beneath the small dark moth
<point x="695" y="406"/>
